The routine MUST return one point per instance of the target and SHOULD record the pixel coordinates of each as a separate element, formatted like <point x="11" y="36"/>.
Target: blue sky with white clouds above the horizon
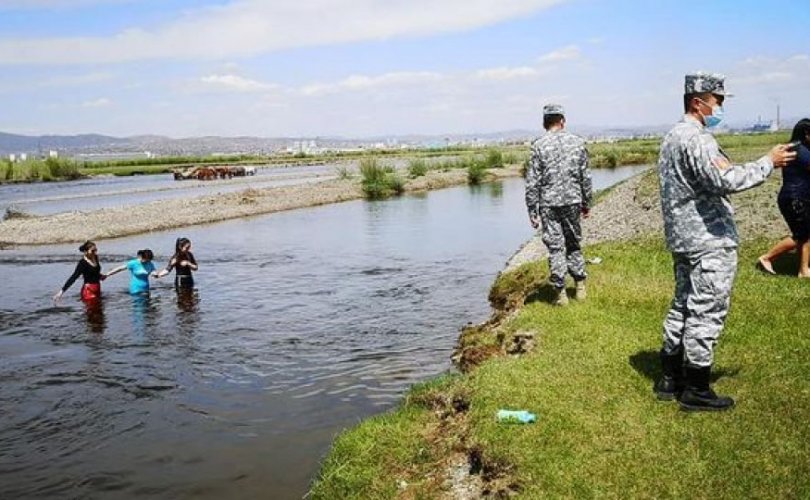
<point x="371" y="68"/>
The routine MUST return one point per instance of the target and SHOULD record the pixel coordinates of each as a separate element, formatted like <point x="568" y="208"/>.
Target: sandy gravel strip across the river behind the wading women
<point x="71" y="227"/>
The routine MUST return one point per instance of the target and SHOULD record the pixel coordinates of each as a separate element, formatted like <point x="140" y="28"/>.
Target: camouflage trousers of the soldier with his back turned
<point x="562" y="235"/>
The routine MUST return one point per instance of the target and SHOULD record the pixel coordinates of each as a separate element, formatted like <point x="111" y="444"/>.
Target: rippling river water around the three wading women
<point x="303" y="323"/>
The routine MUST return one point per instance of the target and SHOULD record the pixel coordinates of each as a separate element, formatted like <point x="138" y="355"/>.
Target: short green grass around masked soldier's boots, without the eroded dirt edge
<point x="600" y="432"/>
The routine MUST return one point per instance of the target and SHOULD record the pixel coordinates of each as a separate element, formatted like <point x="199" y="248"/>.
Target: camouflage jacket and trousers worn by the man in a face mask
<point x="695" y="178"/>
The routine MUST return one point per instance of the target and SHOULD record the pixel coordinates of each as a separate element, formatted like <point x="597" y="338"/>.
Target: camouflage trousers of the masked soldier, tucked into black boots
<point x="703" y="282"/>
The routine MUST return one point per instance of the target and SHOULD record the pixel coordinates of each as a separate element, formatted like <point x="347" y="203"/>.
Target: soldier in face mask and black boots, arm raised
<point x="696" y="178"/>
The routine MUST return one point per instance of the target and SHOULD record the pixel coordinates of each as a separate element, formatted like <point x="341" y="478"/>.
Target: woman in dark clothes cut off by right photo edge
<point x="794" y="203"/>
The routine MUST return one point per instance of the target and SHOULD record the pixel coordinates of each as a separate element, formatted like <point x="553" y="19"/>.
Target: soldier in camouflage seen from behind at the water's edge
<point x="558" y="191"/>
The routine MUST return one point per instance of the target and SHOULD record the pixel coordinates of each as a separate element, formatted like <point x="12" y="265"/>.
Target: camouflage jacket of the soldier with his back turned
<point x="558" y="172"/>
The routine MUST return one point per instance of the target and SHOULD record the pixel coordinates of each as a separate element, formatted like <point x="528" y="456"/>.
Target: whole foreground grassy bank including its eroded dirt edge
<point x="600" y="432"/>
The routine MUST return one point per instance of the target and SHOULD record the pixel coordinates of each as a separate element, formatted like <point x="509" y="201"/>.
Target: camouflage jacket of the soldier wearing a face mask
<point x="696" y="177"/>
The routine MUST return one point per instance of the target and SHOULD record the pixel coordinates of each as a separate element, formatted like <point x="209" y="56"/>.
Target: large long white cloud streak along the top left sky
<point x="250" y="27"/>
